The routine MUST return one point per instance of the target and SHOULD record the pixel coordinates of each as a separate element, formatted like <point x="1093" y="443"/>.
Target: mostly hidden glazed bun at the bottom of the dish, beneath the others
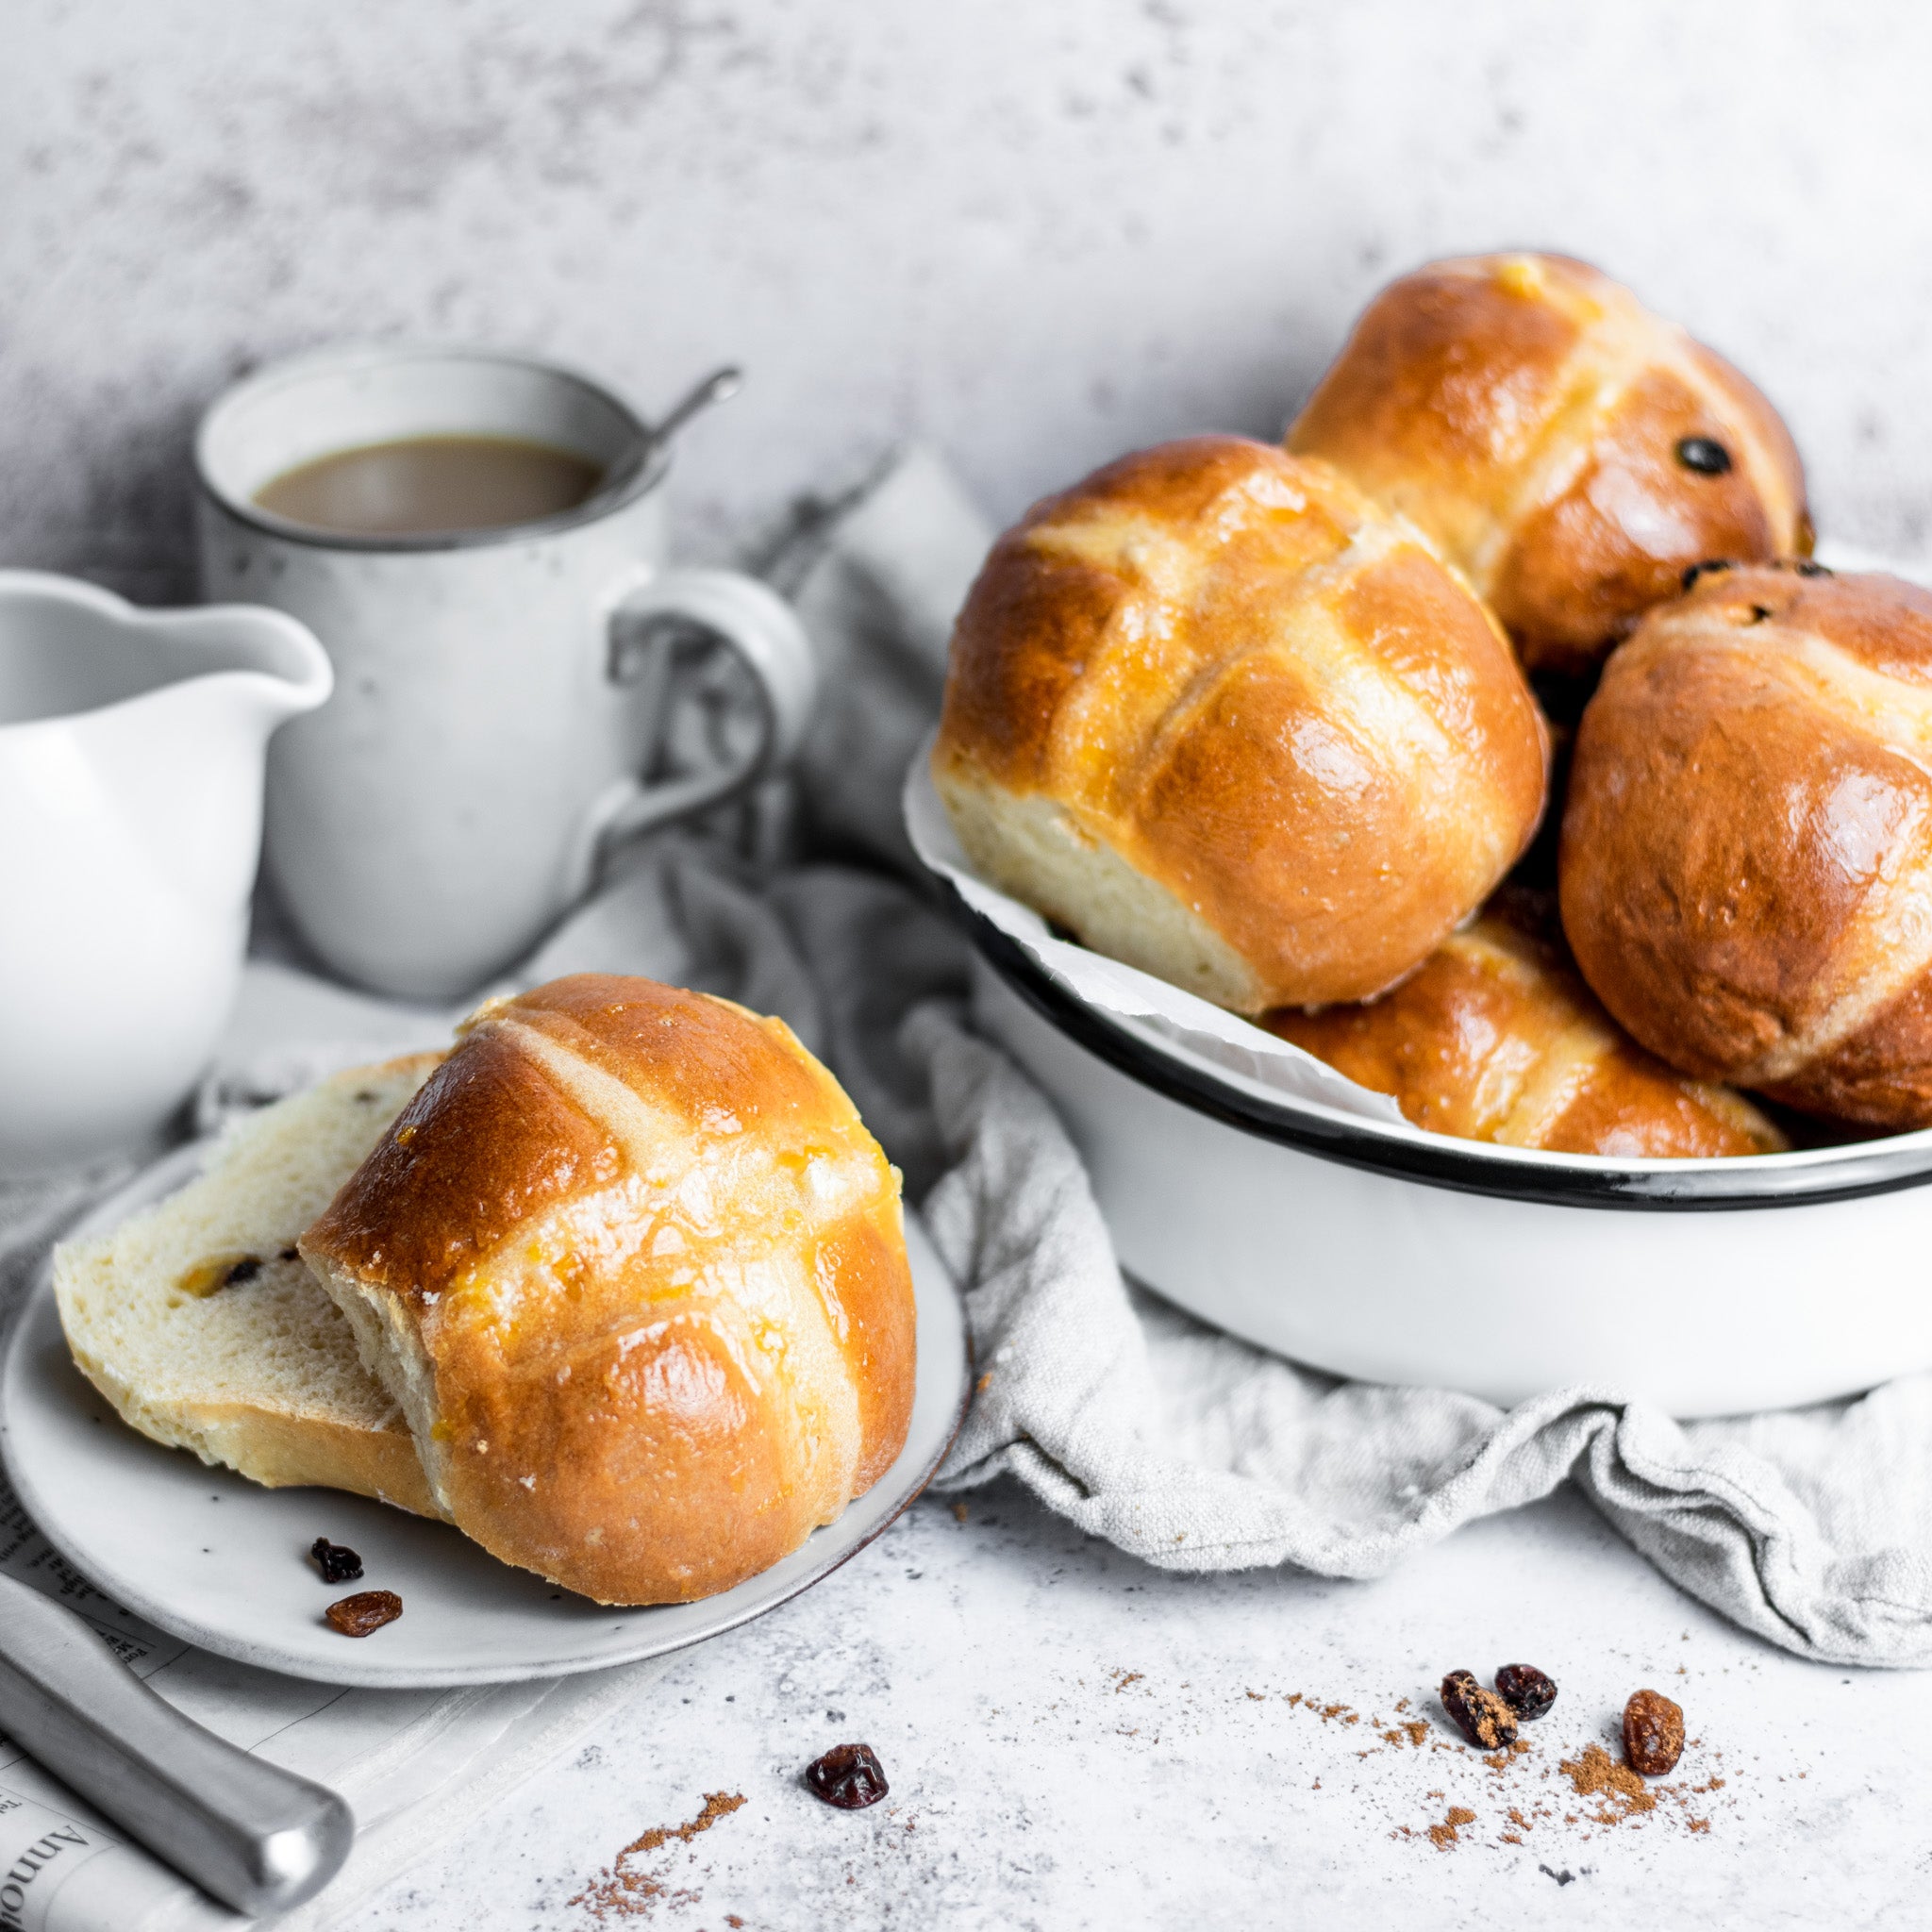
<point x="1496" y="1038"/>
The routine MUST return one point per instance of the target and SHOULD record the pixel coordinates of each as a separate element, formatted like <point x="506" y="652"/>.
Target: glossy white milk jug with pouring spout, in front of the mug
<point x="130" y="830"/>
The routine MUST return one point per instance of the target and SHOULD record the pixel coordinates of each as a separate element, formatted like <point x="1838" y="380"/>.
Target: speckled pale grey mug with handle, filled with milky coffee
<point x="497" y="691"/>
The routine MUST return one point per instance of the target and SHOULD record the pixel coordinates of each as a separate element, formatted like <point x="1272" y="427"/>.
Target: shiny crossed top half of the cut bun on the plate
<point x="640" y="1274"/>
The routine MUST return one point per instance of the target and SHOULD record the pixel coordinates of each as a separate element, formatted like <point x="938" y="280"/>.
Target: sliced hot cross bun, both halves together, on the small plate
<point x="619" y="1288"/>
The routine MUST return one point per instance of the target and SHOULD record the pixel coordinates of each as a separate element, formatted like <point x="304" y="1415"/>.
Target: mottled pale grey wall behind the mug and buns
<point x="1033" y="231"/>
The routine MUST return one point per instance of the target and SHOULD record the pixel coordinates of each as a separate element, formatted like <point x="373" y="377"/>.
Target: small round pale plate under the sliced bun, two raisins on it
<point x="223" y="1564"/>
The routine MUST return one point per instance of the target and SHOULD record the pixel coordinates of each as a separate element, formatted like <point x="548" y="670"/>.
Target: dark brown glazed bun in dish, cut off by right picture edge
<point x="1747" y="845"/>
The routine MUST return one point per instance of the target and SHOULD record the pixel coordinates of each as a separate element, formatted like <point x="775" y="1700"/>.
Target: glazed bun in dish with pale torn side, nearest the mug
<point x="1228" y="722"/>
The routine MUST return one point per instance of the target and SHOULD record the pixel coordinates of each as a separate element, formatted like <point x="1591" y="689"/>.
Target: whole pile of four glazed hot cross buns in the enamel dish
<point x="1239" y="718"/>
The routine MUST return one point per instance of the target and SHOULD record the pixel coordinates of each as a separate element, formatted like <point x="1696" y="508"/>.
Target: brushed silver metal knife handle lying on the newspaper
<point x="248" y="1833"/>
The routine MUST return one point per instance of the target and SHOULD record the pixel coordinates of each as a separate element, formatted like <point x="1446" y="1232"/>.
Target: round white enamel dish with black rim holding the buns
<point x="1371" y="1249"/>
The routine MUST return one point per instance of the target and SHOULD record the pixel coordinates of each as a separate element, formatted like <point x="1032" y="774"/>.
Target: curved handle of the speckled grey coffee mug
<point x="749" y="619"/>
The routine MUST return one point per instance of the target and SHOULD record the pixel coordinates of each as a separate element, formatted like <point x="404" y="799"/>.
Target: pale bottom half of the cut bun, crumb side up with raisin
<point x="200" y="1322"/>
